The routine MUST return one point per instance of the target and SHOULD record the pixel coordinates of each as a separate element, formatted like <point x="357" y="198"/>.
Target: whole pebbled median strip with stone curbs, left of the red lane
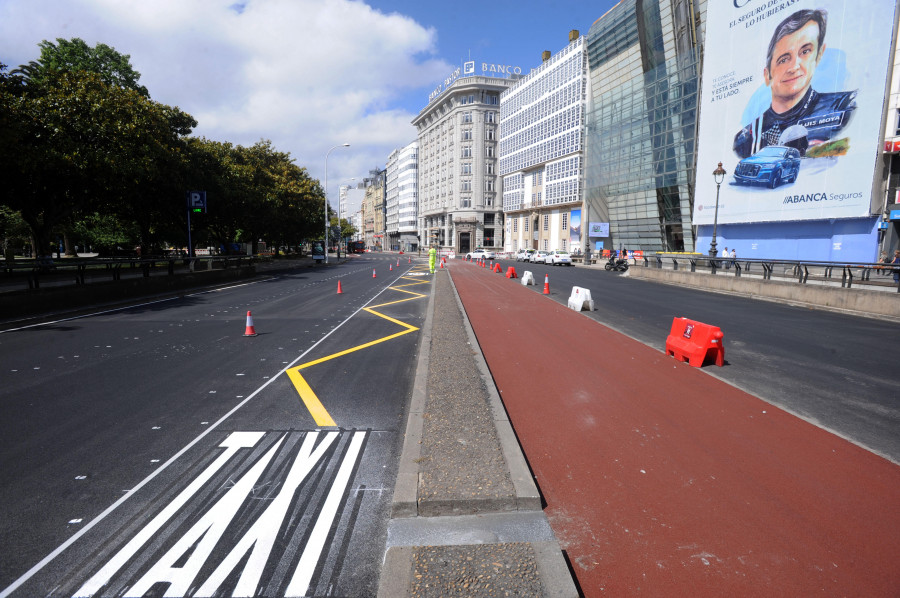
<point x="467" y="517"/>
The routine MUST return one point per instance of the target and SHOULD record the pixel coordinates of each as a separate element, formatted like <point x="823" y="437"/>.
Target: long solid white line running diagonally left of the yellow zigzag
<point x="109" y="510"/>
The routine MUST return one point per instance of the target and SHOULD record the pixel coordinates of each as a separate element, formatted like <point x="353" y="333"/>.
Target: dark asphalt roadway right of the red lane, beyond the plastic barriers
<point x="835" y="370"/>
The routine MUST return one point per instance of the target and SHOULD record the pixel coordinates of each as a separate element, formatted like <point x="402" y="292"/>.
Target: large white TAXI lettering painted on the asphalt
<point x="183" y="562"/>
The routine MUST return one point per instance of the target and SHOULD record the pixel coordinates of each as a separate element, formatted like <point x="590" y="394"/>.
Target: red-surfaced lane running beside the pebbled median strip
<point x="661" y="480"/>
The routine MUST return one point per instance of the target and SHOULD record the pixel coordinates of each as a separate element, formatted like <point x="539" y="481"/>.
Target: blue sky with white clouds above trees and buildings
<point x="307" y="74"/>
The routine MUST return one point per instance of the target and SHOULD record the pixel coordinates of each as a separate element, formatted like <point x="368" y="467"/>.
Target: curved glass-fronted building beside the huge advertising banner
<point x="644" y="64"/>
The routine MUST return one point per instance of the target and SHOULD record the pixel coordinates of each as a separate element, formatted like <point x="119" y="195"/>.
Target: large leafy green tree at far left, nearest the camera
<point x="80" y="146"/>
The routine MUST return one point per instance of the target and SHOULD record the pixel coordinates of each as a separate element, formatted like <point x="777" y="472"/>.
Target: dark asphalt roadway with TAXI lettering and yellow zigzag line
<point x="132" y="439"/>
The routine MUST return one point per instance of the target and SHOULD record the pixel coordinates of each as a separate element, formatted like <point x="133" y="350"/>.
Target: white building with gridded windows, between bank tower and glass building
<point x="541" y="157"/>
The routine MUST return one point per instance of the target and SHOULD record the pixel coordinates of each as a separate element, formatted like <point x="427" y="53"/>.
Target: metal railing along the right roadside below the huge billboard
<point x="859" y="273"/>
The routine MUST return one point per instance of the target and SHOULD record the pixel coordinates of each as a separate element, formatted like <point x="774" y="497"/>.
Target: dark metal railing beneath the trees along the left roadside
<point x="32" y="273"/>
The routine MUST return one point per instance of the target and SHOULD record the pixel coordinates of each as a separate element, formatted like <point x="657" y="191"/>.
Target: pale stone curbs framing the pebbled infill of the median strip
<point x="451" y="527"/>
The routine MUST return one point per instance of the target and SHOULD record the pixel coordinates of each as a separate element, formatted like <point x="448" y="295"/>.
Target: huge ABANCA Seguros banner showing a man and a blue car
<point x="792" y="100"/>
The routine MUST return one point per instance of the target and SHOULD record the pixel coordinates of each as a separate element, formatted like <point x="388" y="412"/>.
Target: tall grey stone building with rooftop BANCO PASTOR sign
<point x="459" y="183"/>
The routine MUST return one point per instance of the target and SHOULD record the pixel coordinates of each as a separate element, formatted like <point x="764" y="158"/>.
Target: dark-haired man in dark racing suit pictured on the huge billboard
<point x="795" y="50"/>
